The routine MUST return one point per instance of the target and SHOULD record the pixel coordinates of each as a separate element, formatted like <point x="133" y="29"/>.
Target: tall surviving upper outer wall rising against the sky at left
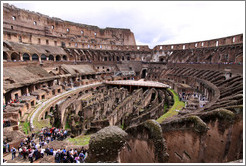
<point x="30" y="27"/>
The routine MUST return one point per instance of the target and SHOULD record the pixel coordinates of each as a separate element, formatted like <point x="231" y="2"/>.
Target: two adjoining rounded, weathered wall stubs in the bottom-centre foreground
<point x="142" y="143"/>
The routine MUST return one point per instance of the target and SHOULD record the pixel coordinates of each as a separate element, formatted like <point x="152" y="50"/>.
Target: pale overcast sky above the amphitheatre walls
<point x="153" y="23"/>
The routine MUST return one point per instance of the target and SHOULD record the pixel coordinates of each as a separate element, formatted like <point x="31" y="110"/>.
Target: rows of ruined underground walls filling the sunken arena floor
<point x="92" y="110"/>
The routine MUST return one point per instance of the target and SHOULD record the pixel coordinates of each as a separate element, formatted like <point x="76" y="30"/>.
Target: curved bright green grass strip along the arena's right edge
<point x="178" y="105"/>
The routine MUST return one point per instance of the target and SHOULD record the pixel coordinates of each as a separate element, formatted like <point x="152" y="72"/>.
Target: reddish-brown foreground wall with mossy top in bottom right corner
<point x="220" y="141"/>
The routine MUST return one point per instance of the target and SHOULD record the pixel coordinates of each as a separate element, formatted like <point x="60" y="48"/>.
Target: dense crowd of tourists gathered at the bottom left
<point x="28" y="149"/>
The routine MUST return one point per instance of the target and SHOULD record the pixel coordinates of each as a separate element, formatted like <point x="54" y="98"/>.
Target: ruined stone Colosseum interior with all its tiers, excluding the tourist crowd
<point x="180" y="103"/>
